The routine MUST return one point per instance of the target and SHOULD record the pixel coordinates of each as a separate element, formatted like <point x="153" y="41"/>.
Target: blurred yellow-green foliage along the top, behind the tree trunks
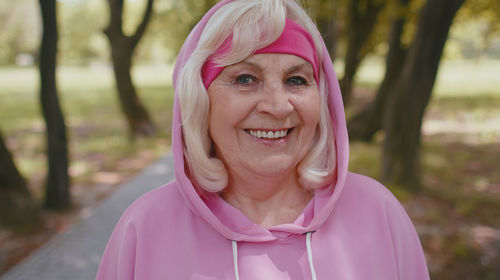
<point x="82" y="41"/>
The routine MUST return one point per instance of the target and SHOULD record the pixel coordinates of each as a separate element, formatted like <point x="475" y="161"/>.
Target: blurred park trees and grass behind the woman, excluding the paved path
<point x="86" y="102"/>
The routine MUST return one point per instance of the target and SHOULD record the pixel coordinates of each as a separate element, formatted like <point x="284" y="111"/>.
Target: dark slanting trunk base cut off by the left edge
<point x="17" y="207"/>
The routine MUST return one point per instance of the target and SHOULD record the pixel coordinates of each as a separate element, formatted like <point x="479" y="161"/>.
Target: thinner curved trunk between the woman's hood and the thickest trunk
<point x="366" y="123"/>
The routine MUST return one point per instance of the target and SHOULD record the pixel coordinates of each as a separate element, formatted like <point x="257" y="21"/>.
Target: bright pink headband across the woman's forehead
<point x="294" y="40"/>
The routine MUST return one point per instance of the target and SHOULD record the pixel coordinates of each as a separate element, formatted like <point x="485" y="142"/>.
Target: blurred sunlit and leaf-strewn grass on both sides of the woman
<point x="456" y="214"/>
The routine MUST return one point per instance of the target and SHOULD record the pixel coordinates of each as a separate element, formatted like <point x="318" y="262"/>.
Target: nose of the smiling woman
<point x="275" y="102"/>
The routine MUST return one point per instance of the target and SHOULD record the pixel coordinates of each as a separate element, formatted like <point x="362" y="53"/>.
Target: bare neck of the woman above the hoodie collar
<point x="268" y="202"/>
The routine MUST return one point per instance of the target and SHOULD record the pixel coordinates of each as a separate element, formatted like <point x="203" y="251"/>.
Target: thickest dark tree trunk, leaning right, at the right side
<point x="408" y="99"/>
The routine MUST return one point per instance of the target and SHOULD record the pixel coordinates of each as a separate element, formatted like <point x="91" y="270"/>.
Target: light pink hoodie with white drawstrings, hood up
<point x="353" y="228"/>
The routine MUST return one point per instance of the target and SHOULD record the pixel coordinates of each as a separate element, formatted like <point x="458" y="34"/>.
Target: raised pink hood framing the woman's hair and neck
<point x="227" y="220"/>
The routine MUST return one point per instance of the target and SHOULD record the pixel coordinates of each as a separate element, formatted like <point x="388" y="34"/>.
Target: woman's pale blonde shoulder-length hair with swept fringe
<point x="253" y="24"/>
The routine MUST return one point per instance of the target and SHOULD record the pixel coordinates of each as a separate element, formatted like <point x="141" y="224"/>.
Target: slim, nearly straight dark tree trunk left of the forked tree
<point x="57" y="196"/>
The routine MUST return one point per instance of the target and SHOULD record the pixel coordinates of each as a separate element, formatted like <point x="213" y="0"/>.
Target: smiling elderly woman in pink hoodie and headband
<point x="260" y="149"/>
